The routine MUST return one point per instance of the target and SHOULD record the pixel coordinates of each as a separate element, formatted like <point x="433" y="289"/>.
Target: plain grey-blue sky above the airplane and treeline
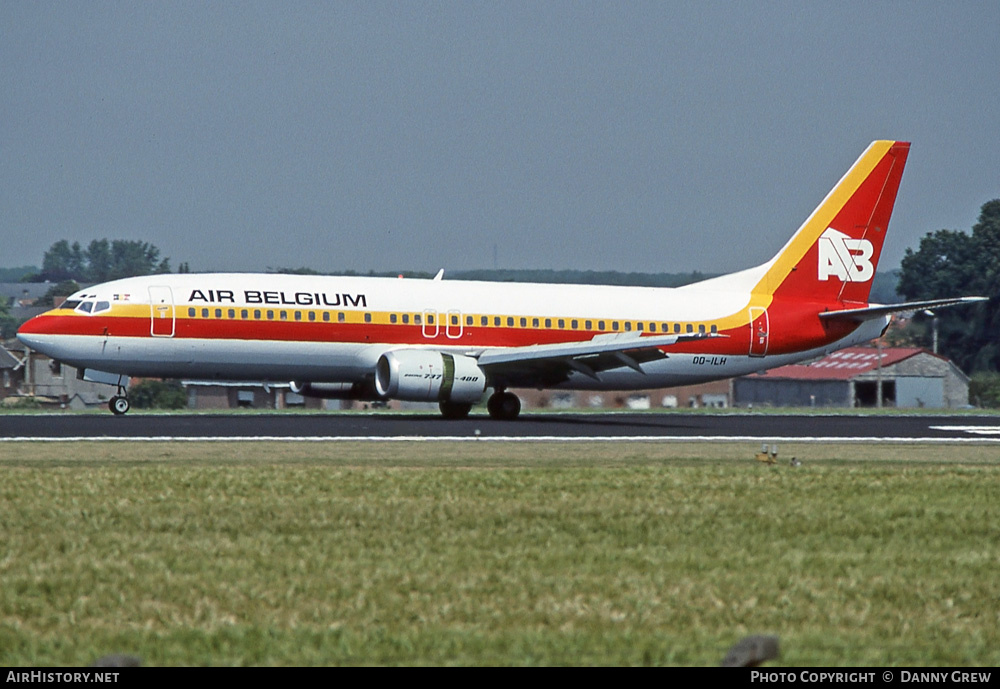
<point x="632" y="136"/>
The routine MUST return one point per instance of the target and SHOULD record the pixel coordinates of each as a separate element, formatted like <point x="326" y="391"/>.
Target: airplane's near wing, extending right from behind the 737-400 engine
<point x="552" y="363"/>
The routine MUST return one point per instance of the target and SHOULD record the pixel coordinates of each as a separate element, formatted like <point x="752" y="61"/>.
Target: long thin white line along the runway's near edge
<point x="528" y="439"/>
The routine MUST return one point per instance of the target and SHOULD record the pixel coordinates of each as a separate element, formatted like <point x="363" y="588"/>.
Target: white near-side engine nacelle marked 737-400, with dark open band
<point x="426" y="375"/>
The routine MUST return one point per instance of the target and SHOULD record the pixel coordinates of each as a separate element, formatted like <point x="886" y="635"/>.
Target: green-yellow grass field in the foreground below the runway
<point x="489" y="553"/>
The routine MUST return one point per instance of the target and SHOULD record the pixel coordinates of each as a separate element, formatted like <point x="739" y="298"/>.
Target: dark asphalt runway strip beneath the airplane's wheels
<point x="677" y="427"/>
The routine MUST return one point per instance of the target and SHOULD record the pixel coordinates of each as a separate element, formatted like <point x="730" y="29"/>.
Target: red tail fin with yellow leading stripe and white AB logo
<point x="833" y="256"/>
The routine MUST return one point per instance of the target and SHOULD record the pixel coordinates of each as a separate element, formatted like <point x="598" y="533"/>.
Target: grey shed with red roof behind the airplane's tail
<point x="853" y="377"/>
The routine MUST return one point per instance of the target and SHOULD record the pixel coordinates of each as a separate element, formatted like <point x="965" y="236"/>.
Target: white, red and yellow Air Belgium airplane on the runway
<point x="435" y="340"/>
